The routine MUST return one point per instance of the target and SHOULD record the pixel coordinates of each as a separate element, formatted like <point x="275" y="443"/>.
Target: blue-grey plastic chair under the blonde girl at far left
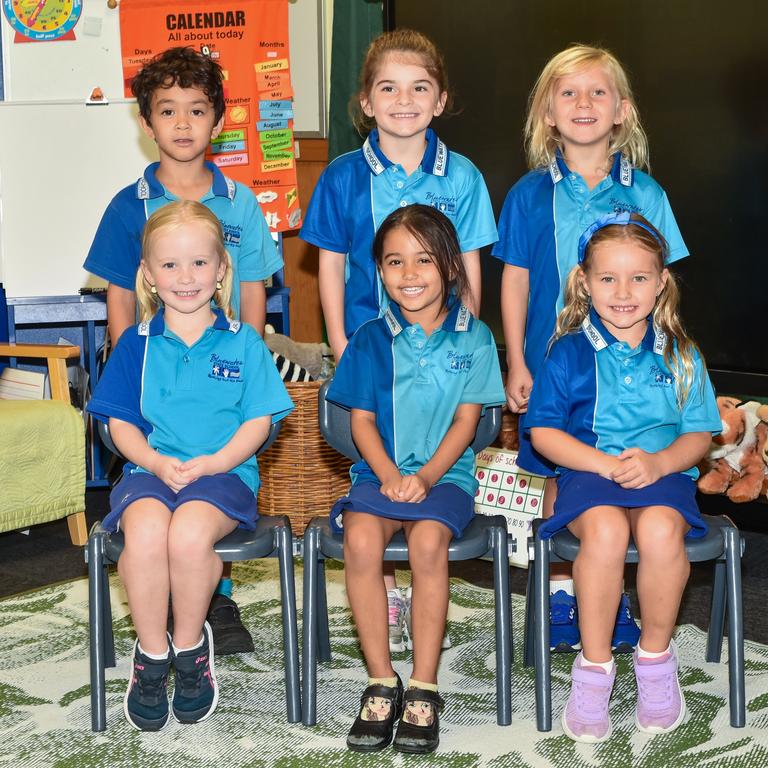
<point x="272" y="538"/>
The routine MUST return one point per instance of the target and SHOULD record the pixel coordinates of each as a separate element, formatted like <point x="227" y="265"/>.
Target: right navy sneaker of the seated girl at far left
<point x="196" y="693"/>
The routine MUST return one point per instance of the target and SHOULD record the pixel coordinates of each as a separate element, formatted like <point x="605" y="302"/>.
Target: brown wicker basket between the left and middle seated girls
<point x="301" y="475"/>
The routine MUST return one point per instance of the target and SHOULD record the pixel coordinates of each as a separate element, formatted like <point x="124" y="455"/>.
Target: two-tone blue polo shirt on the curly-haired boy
<point x="116" y="249"/>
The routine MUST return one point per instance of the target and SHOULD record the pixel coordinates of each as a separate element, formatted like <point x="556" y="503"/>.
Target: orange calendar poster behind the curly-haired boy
<point x="249" y="40"/>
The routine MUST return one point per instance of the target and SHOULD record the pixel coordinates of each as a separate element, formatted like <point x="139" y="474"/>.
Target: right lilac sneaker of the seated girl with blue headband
<point x="660" y="701"/>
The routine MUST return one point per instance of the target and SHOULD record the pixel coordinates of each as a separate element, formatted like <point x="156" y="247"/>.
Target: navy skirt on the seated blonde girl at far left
<point x="224" y="491"/>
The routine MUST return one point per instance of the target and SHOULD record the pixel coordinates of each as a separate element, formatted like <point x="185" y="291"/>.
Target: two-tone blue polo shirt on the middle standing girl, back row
<point x="358" y="190"/>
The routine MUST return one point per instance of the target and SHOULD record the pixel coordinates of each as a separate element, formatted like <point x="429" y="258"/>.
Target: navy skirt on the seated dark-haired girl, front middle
<point x="446" y="503"/>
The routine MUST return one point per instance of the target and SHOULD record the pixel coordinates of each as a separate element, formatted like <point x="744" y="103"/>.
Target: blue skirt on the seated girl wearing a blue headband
<point x="580" y="491"/>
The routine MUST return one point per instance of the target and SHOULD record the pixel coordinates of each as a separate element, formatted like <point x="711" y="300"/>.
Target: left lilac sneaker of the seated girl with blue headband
<point x="585" y="717"/>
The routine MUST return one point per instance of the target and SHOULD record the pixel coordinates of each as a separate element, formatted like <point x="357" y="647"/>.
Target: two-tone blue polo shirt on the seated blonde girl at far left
<point x="190" y="401"/>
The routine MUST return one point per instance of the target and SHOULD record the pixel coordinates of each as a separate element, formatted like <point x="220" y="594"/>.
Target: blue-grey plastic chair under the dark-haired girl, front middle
<point x="485" y="537"/>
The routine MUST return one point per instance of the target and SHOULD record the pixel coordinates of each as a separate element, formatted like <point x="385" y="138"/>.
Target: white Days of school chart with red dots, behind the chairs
<point x="507" y="490"/>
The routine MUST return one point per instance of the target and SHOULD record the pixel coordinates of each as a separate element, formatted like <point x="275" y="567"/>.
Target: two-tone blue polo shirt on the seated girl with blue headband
<point x="612" y="397"/>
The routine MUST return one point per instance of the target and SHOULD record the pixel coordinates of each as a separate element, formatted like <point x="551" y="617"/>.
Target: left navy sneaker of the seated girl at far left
<point x="146" y="700"/>
